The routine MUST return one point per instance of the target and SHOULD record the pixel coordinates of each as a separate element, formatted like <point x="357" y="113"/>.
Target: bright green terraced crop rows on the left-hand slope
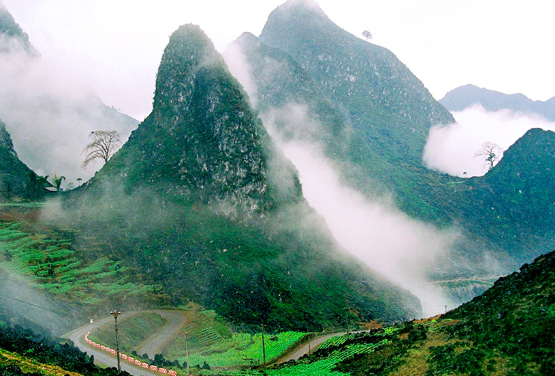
<point x="51" y="264"/>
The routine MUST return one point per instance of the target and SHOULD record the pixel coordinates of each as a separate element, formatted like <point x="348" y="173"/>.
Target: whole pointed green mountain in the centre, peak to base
<point x="201" y="200"/>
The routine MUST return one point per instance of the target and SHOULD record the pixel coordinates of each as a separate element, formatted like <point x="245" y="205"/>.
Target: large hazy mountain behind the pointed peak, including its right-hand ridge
<point x="313" y="82"/>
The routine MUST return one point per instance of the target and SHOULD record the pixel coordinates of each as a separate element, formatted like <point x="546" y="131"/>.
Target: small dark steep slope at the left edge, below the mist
<point x="15" y="176"/>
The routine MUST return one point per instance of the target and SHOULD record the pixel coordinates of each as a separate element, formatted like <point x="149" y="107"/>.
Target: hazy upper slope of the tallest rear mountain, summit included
<point x="372" y="90"/>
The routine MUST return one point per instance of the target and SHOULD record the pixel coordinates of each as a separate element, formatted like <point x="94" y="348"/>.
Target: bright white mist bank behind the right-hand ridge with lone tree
<point x="452" y="148"/>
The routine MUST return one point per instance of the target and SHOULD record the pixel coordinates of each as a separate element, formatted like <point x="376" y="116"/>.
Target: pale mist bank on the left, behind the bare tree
<point x="50" y="114"/>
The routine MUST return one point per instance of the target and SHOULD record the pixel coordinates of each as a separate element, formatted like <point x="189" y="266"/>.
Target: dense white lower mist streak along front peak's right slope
<point x="377" y="233"/>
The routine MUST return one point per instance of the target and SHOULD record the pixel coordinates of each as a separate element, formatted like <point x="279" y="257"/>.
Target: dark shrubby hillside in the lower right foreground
<point x="505" y="331"/>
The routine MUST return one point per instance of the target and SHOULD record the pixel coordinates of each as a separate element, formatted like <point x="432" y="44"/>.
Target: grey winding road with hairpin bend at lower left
<point x="174" y="321"/>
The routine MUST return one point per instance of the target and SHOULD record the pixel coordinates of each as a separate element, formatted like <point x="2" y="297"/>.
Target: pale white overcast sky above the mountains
<point x="115" y="45"/>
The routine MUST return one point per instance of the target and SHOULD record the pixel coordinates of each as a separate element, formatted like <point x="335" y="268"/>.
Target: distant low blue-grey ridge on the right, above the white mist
<point x="465" y="96"/>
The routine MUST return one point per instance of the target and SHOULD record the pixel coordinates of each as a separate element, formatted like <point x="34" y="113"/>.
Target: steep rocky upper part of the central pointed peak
<point x="209" y="145"/>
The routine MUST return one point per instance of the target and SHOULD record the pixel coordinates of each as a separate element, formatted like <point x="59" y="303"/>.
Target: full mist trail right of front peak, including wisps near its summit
<point x="390" y="242"/>
